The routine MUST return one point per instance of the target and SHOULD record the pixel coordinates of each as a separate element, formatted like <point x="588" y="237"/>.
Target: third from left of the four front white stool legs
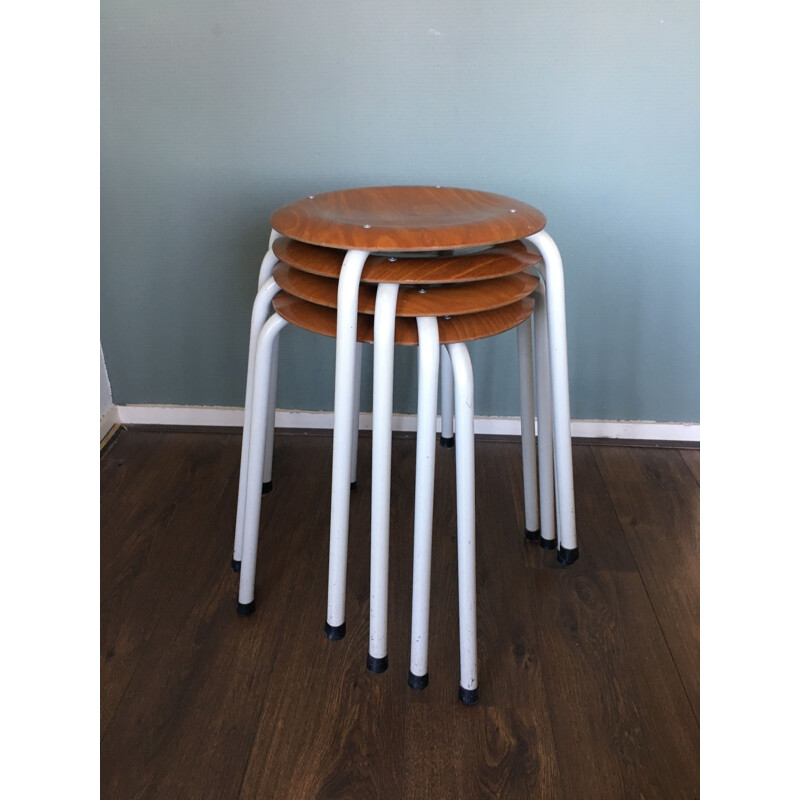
<point x="428" y="372"/>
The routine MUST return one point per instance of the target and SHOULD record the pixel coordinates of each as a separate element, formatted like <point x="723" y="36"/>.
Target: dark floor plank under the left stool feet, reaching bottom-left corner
<point x="186" y="722"/>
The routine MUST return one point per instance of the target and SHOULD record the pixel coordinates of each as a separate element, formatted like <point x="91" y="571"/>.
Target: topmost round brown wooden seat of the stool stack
<point x="407" y="218"/>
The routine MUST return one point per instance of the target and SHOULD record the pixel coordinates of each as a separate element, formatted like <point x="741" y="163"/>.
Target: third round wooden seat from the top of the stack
<point x="413" y="301"/>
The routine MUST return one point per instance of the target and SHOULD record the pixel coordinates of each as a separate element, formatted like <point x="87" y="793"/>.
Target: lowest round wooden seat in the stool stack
<point x="462" y="328"/>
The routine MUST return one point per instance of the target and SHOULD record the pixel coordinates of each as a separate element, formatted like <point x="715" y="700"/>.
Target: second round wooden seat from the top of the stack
<point x="503" y="259"/>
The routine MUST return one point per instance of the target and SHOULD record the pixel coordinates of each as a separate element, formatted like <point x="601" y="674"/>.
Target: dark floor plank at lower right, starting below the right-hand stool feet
<point x="622" y="724"/>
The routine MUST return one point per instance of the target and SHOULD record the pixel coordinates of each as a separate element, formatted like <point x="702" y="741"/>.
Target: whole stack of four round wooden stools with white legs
<point x="421" y="265"/>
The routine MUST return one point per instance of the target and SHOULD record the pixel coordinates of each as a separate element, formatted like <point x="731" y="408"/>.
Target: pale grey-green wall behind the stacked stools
<point x="216" y="113"/>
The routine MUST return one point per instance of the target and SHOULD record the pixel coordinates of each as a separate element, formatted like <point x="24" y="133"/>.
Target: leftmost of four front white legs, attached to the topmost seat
<point x="346" y="320"/>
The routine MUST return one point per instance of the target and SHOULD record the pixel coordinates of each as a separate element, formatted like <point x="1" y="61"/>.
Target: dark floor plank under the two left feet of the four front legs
<point x="330" y="728"/>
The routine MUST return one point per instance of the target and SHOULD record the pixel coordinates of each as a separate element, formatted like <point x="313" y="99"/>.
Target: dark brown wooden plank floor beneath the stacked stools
<point x="589" y="676"/>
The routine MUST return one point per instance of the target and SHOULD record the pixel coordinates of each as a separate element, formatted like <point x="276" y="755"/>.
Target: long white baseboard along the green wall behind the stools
<point x="234" y="417"/>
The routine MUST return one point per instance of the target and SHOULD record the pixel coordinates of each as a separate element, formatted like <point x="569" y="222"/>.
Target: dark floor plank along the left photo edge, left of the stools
<point x="143" y="562"/>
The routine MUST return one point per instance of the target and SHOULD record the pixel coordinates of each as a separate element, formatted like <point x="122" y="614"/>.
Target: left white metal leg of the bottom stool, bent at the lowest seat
<point x="258" y="429"/>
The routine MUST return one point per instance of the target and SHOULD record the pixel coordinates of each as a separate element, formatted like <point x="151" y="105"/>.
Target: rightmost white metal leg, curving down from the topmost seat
<point x="553" y="274"/>
